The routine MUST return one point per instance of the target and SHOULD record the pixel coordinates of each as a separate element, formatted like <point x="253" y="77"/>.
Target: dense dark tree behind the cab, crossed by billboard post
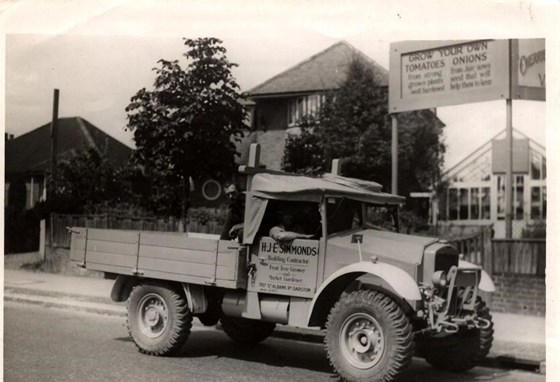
<point x="353" y="125"/>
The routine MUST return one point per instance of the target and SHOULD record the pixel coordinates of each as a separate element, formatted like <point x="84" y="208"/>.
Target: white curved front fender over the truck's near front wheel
<point x="401" y="283"/>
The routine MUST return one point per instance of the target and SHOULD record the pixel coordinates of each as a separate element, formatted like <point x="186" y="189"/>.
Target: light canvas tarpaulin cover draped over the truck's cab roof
<point x="302" y="188"/>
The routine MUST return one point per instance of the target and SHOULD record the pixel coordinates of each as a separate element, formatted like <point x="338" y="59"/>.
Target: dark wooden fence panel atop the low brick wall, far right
<point x="519" y="256"/>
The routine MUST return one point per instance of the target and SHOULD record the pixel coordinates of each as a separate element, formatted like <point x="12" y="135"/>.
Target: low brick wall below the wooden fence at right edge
<point x="519" y="294"/>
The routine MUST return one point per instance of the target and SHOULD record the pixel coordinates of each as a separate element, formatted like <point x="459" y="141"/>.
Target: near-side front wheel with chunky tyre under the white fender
<point x="369" y="338"/>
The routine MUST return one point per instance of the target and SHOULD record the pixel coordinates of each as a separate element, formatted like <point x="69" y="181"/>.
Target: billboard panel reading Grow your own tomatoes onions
<point x="427" y="74"/>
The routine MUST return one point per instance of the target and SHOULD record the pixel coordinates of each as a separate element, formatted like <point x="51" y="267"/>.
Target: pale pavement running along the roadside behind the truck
<point x="519" y="340"/>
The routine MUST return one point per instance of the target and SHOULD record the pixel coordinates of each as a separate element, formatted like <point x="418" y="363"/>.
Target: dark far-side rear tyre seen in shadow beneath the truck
<point x="247" y="331"/>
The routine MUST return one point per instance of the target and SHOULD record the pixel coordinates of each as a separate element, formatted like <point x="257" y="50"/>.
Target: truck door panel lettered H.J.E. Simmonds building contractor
<point x="286" y="269"/>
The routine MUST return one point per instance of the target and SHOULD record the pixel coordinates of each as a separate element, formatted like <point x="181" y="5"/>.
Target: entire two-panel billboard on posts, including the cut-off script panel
<point x="428" y="74"/>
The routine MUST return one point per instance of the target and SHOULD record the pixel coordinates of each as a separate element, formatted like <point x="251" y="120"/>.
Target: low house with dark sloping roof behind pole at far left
<point x="28" y="157"/>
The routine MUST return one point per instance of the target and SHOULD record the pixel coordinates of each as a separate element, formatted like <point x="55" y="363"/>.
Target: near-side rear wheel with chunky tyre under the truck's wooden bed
<point x="159" y="320"/>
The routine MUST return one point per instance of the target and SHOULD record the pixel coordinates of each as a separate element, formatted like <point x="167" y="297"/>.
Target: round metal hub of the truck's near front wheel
<point x="361" y="340"/>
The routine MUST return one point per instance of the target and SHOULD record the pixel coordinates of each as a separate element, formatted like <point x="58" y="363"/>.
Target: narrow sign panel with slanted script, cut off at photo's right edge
<point x="528" y="72"/>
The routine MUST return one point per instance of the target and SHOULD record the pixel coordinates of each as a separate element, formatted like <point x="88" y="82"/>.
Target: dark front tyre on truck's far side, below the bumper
<point x="461" y="351"/>
